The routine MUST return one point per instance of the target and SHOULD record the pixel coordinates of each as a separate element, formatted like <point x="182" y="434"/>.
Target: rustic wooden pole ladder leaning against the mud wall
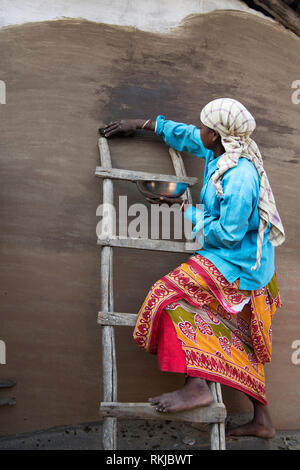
<point x="110" y="408"/>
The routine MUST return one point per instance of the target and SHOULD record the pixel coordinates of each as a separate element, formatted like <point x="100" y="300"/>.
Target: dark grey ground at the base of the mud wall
<point x="145" y="435"/>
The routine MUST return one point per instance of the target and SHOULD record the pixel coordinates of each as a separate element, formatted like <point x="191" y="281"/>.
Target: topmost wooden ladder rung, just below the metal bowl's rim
<point x="120" y="174"/>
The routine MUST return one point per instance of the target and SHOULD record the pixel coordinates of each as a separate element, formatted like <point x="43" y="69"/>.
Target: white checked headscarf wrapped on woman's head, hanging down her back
<point x="235" y="124"/>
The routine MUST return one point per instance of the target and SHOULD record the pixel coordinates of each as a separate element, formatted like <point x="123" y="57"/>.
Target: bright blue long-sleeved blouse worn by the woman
<point x="230" y="222"/>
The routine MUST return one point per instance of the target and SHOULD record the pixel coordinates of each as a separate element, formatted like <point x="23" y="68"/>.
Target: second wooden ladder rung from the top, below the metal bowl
<point x="147" y="244"/>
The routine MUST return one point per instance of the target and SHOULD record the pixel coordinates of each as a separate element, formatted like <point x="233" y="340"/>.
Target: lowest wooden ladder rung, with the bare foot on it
<point x="214" y="413"/>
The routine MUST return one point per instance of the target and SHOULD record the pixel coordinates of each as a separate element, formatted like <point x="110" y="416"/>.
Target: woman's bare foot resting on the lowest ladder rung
<point x="194" y="393"/>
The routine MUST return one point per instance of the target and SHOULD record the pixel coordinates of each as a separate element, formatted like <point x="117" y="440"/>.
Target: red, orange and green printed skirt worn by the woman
<point x="199" y="324"/>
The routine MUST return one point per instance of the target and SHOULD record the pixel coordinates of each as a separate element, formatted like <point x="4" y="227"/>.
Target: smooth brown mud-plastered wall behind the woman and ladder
<point x="64" y="79"/>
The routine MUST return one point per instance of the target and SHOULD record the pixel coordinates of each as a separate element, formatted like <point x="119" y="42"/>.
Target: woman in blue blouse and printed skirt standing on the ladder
<point x="210" y="318"/>
